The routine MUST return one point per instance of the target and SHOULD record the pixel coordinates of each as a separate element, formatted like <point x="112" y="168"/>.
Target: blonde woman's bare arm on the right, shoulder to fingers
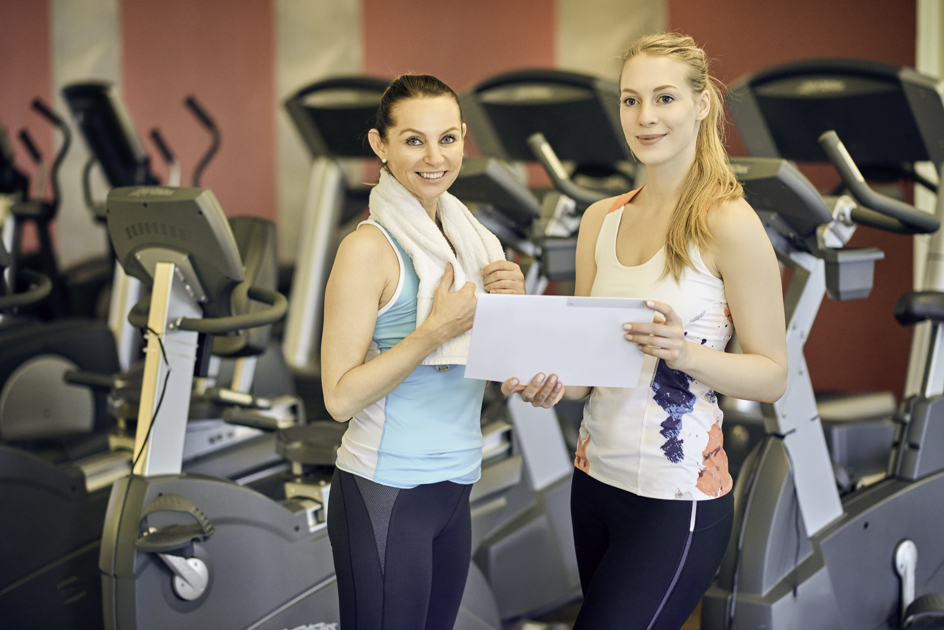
<point x="744" y="258"/>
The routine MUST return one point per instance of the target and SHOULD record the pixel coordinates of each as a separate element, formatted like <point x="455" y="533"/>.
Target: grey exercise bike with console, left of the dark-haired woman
<point x="216" y="537"/>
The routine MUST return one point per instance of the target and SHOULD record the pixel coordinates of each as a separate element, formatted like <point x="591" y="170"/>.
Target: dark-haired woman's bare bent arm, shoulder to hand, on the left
<point x="363" y="268"/>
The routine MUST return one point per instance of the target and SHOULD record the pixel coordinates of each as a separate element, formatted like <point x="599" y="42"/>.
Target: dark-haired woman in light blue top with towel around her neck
<point x="398" y="309"/>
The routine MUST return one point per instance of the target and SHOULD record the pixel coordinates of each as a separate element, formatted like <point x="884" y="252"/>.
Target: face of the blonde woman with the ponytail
<point x="659" y="111"/>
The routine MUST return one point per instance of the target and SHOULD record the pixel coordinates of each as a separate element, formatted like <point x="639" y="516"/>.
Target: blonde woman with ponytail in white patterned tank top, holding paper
<point x="651" y="499"/>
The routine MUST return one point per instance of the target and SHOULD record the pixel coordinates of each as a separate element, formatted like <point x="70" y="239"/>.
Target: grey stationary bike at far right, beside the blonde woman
<point x="800" y="556"/>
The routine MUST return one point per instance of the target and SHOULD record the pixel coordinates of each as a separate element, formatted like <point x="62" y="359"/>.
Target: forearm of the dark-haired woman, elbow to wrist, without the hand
<point x="365" y="384"/>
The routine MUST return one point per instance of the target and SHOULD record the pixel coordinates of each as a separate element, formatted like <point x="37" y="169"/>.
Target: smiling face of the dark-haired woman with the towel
<point x="423" y="148"/>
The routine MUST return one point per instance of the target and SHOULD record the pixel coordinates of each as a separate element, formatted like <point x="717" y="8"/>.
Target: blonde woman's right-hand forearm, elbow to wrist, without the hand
<point x="746" y="376"/>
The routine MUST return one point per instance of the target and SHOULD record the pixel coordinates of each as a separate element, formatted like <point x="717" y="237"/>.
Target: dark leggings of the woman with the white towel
<point x="401" y="556"/>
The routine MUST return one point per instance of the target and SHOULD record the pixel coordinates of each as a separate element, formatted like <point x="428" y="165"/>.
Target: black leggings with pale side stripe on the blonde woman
<point x="641" y="564"/>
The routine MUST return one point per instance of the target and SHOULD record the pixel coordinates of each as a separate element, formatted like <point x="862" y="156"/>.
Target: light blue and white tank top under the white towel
<point x="428" y="429"/>
